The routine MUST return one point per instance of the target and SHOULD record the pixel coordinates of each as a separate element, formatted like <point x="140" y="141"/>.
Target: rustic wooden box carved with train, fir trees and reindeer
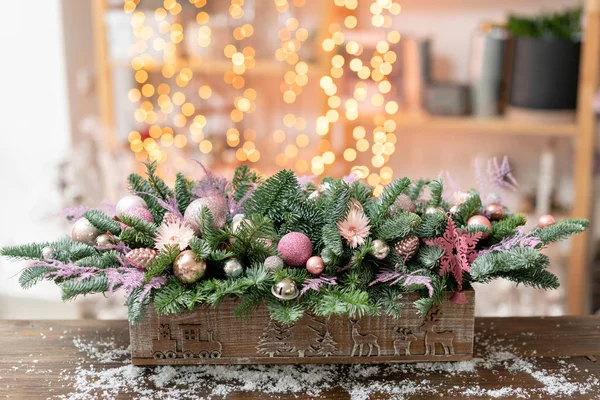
<point x="216" y="336"/>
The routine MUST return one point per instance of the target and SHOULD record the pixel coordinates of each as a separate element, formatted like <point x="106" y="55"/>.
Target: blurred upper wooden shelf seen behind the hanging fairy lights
<point x="264" y="67"/>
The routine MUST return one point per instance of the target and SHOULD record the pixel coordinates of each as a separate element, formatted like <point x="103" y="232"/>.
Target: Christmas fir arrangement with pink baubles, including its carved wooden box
<point x="279" y="270"/>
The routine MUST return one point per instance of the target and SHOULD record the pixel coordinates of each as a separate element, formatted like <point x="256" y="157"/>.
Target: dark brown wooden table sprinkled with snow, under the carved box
<point x="526" y="357"/>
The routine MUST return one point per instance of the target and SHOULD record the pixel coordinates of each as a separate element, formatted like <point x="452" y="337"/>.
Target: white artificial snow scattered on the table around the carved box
<point x="104" y="371"/>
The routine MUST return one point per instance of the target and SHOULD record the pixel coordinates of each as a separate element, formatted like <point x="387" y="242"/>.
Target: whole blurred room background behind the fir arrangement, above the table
<point x="384" y="88"/>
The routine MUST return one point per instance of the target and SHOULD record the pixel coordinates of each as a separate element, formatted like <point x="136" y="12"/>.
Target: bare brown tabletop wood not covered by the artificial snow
<point x="39" y="359"/>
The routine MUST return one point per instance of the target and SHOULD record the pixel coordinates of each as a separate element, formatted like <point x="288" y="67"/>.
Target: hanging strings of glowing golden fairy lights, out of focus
<point x="173" y="119"/>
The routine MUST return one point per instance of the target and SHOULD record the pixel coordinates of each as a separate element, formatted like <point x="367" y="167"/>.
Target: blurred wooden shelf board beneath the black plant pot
<point x="469" y="124"/>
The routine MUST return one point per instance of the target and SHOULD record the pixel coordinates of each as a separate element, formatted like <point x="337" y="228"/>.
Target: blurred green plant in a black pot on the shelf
<point x="545" y="61"/>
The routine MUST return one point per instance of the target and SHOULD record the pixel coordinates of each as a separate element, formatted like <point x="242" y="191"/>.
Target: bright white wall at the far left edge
<point x="34" y="133"/>
